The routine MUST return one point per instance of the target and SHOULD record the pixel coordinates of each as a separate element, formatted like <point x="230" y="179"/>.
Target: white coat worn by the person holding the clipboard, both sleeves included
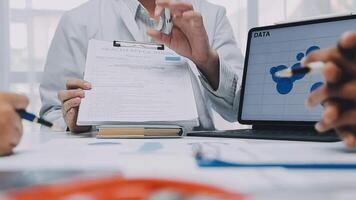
<point x="110" y="20"/>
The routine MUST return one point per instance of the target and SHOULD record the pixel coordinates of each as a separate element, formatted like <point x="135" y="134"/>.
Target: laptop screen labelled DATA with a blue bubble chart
<point x="265" y="97"/>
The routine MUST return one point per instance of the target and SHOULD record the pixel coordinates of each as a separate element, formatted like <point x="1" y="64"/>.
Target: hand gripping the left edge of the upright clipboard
<point x="71" y="99"/>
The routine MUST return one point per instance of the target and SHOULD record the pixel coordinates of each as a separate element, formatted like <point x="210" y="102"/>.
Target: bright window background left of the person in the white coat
<point x="31" y="29"/>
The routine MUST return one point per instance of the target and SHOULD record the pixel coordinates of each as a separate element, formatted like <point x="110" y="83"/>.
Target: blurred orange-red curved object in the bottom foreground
<point x="119" y="188"/>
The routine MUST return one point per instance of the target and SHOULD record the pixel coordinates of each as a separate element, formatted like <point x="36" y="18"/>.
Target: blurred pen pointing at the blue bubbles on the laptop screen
<point x="314" y="67"/>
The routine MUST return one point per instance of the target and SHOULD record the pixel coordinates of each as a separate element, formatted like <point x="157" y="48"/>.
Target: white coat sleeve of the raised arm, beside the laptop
<point x="225" y="99"/>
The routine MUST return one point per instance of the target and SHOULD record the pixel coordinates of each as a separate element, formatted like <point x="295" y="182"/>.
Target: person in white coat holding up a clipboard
<point x="201" y="33"/>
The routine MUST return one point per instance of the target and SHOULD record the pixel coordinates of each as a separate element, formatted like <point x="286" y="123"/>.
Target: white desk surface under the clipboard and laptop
<point x="39" y="151"/>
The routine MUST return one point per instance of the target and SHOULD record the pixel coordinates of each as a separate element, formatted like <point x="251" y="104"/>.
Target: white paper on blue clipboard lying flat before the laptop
<point x="291" y="156"/>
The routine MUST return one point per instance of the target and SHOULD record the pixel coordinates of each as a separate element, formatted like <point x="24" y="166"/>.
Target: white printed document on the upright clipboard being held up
<point x="136" y="85"/>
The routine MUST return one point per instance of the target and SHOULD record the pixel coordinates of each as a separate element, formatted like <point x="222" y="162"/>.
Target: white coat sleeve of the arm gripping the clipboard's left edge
<point x="65" y="60"/>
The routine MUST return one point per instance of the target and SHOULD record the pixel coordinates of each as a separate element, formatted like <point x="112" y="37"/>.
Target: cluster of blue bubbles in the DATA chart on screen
<point x="285" y="85"/>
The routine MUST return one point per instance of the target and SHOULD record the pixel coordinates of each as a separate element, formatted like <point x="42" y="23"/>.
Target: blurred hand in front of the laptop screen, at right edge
<point x="339" y="92"/>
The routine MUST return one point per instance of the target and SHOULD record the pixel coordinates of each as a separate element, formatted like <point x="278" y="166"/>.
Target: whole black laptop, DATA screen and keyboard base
<point x="275" y="107"/>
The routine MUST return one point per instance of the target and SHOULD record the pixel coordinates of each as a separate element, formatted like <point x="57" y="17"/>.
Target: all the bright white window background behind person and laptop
<point x="27" y="32"/>
